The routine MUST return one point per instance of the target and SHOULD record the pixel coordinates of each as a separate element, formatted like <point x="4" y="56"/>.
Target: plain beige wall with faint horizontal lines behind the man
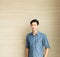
<point x="15" y="16"/>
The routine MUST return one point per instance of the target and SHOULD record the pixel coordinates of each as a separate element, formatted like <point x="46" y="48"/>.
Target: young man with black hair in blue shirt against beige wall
<point x="36" y="41"/>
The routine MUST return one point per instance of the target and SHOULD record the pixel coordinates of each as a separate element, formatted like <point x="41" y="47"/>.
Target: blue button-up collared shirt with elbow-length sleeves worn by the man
<point x="36" y="44"/>
